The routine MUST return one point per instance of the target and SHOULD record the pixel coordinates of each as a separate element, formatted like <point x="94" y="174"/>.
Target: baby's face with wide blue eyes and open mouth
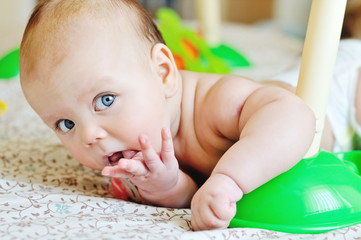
<point x="100" y="98"/>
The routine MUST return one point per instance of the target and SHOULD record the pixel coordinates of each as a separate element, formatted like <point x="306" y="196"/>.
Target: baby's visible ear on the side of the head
<point x="166" y="68"/>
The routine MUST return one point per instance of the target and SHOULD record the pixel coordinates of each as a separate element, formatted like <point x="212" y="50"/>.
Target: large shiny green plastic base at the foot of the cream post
<point x="319" y="194"/>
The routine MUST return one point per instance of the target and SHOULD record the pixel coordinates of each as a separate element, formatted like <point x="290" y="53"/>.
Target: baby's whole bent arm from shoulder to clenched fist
<point x="275" y="130"/>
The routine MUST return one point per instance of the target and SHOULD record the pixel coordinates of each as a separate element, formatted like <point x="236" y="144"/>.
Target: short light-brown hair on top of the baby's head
<point x="54" y="14"/>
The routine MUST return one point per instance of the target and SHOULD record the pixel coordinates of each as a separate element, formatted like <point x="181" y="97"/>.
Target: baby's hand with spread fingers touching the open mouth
<point x="153" y="174"/>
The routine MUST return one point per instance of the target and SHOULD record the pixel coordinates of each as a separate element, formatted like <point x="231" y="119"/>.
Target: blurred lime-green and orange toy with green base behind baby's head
<point x="191" y="51"/>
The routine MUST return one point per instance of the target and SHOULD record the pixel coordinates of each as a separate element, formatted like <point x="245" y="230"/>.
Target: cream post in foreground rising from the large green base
<point x="318" y="60"/>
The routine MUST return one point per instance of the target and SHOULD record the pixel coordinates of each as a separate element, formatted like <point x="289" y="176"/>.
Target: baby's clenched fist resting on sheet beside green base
<point x="214" y="204"/>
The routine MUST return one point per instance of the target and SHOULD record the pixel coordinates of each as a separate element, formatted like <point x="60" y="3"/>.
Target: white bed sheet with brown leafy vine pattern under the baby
<point x="46" y="194"/>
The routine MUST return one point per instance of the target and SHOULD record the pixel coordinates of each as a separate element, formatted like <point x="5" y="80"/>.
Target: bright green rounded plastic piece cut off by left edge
<point x="9" y="65"/>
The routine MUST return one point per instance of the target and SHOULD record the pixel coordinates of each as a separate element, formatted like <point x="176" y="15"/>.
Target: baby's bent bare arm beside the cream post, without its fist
<point x="276" y="129"/>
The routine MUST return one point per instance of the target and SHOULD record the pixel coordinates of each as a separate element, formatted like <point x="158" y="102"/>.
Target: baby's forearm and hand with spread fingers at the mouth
<point x="158" y="177"/>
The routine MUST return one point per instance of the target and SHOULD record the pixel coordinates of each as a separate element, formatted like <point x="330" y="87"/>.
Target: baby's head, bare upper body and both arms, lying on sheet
<point x="99" y="74"/>
